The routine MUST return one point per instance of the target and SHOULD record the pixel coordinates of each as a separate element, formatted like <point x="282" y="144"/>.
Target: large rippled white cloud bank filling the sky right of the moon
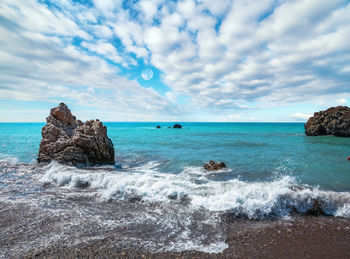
<point x="276" y="60"/>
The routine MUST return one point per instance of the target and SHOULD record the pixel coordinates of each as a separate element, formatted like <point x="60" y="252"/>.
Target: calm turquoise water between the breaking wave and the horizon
<point x="252" y="151"/>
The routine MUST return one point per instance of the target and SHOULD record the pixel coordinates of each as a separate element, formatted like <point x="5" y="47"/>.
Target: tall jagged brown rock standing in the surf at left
<point x="67" y="140"/>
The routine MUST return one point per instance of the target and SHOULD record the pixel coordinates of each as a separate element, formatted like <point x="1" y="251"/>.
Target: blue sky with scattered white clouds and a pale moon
<point x="157" y="60"/>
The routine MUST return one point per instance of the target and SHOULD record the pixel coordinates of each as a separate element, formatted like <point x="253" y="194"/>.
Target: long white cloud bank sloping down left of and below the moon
<point x="39" y="67"/>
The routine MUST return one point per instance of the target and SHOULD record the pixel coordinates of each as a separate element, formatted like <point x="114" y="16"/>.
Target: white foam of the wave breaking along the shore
<point x="251" y="199"/>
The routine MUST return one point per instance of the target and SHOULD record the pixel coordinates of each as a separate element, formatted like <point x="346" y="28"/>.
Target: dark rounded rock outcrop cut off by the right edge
<point x="334" y="121"/>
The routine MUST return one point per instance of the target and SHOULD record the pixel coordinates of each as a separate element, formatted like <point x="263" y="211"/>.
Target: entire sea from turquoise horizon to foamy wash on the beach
<point x="158" y="196"/>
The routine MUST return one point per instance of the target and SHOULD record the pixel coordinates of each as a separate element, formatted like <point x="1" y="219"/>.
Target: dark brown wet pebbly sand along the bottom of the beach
<point x="301" y="237"/>
